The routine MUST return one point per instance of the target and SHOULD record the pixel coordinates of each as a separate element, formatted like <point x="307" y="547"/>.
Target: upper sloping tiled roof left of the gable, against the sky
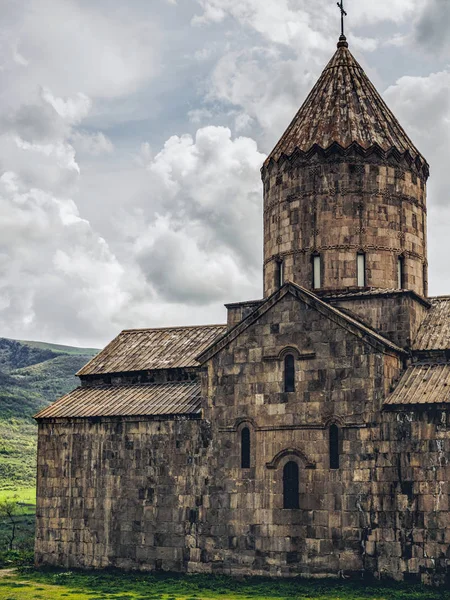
<point x="144" y="349"/>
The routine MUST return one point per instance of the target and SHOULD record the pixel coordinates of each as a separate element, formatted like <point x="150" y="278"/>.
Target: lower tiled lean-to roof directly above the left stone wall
<point x="180" y="398"/>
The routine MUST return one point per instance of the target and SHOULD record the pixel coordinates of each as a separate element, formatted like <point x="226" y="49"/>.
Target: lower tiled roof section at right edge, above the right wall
<point x="423" y="384"/>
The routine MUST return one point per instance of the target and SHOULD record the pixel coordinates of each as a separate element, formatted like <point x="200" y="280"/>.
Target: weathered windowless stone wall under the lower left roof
<point x="120" y="493"/>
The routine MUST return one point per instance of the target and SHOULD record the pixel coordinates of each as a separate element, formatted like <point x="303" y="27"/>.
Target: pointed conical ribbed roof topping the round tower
<point x="344" y="108"/>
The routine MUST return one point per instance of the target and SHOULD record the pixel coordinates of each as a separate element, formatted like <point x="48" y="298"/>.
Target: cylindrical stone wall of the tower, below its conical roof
<point x="337" y="206"/>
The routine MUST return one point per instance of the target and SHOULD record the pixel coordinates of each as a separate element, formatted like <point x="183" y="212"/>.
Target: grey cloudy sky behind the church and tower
<point x="132" y="134"/>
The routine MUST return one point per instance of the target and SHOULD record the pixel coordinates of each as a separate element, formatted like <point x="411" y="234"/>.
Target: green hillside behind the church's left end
<point x="32" y="375"/>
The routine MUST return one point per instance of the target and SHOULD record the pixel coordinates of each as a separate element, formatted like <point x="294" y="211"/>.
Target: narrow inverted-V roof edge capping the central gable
<point x="353" y="325"/>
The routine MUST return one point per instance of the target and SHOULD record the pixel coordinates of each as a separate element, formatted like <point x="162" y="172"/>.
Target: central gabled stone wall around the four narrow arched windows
<point x="343" y="380"/>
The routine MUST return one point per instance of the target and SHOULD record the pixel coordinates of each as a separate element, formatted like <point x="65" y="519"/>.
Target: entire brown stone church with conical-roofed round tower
<point x="310" y="435"/>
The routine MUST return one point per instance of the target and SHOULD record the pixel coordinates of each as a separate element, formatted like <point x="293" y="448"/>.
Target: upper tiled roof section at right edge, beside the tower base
<point x="434" y="333"/>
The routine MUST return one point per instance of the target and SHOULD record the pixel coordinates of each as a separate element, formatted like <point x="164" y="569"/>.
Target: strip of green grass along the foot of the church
<point x="52" y="584"/>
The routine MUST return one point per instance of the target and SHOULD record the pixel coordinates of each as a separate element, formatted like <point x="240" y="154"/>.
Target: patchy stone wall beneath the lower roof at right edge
<point x="408" y="532"/>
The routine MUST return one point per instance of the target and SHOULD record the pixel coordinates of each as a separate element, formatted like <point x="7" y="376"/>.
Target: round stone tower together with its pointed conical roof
<point x="345" y="192"/>
